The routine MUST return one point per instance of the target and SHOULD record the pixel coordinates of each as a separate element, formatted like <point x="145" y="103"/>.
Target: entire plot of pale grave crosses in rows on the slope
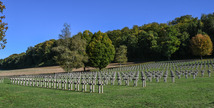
<point x="130" y="76"/>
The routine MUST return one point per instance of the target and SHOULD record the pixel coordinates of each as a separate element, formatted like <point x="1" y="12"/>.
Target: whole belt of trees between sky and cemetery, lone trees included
<point x="153" y="41"/>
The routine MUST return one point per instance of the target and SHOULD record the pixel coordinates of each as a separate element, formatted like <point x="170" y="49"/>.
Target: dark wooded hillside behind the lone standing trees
<point x="148" y="42"/>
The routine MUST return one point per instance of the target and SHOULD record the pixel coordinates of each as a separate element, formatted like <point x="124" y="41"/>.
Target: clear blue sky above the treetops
<point x="34" y="21"/>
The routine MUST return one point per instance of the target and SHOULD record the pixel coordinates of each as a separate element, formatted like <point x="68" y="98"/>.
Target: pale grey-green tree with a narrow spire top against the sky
<point x="71" y="52"/>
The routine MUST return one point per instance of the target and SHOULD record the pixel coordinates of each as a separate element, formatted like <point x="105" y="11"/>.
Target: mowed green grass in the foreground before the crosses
<point x="189" y="92"/>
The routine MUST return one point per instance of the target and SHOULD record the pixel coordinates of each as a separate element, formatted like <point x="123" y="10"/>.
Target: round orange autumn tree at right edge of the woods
<point x="201" y="45"/>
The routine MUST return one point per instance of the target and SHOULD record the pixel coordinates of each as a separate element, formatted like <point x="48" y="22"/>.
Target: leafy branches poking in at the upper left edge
<point x="3" y="27"/>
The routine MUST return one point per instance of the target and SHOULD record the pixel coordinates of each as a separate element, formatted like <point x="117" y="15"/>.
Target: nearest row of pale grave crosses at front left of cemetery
<point x="64" y="84"/>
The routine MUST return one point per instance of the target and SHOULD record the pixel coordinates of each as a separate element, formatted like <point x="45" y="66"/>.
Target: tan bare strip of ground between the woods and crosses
<point x="49" y="70"/>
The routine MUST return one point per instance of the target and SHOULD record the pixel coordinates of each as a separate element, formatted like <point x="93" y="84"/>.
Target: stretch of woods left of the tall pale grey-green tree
<point x="39" y="55"/>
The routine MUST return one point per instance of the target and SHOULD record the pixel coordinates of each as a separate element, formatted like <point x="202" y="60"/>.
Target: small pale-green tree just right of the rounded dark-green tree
<point x="120" y="56"/>
